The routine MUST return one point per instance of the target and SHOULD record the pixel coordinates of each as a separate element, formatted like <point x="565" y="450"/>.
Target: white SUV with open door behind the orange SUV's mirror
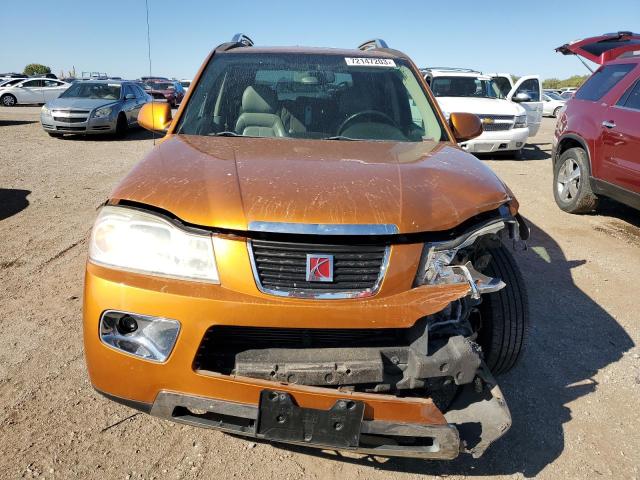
<point x="510" y="113"/>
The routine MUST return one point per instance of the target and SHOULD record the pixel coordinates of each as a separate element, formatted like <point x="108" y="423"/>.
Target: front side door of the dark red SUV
<point x="621" y="140"/>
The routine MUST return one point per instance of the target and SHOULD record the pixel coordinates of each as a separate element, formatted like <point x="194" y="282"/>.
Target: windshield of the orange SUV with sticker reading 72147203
<point x="311" y="97"/>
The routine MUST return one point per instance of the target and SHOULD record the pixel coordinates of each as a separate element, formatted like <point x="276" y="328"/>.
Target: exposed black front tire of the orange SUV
<point x="504" y="315"/>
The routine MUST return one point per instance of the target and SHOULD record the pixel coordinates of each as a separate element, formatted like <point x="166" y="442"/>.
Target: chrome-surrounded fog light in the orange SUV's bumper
<point x="152" y="338"/>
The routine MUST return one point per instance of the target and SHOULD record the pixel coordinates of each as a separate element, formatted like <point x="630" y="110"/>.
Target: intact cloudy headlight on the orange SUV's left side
<point x="133" y="240"/>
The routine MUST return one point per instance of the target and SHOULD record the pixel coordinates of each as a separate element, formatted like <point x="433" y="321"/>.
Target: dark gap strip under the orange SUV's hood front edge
<point x="464" y="229"/>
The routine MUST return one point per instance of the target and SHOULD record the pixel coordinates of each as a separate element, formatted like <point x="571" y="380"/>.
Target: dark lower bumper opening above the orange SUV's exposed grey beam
<point x="222" y="343"/>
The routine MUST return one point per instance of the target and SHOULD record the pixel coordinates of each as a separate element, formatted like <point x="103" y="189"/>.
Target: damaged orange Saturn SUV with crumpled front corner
<point x="308" y="257"/>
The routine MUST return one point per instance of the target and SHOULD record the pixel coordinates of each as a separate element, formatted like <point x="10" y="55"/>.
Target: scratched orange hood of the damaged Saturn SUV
<point x="229" y="182"/>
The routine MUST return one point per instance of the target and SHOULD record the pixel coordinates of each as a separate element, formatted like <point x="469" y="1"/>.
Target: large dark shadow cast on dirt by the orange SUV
<point x="557" y="368"/>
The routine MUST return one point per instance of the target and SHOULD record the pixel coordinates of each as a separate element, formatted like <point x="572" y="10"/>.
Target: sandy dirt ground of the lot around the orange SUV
<point x="574" y="397"/>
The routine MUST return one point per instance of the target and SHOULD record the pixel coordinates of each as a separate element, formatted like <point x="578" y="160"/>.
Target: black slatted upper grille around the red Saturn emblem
<point x="281" y="266"/>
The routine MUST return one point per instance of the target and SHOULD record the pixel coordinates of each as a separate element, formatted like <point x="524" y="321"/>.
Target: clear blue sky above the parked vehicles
<point x="516" y="36"/>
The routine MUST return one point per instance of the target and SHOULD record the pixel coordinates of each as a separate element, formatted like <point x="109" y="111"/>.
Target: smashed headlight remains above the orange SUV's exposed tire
<point x="440" y="264"/>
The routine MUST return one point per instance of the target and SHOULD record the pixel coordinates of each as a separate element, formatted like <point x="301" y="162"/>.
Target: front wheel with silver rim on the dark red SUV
<point x="571" y="185"/>
